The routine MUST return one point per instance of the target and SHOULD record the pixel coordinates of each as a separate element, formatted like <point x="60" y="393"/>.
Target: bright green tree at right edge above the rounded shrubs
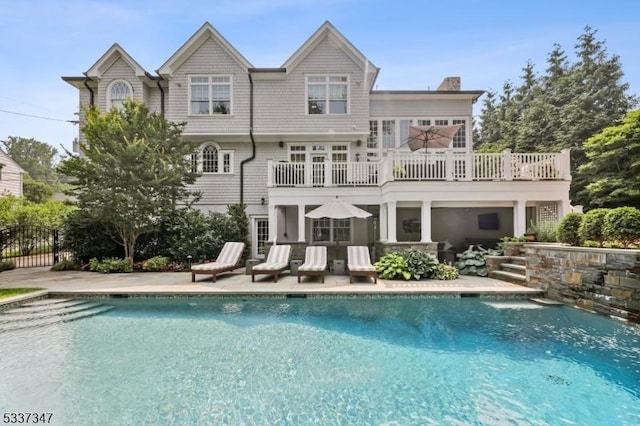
<point x="613" y="165"/>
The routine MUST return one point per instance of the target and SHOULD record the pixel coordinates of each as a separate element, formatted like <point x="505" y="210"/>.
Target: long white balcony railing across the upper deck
<point x="447" y="166"/>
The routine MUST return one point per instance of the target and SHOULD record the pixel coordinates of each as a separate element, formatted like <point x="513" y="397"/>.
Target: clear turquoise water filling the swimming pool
<point x="318" y="361"/>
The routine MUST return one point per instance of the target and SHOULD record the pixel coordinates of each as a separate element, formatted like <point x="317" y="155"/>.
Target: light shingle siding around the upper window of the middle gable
<point x="210" y="59"/>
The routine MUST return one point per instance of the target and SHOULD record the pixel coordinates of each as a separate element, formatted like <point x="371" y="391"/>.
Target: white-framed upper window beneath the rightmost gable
<point x="327" y="94"/>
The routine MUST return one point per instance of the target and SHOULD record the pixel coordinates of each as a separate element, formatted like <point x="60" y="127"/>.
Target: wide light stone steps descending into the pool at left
<point x="48" y="311"/>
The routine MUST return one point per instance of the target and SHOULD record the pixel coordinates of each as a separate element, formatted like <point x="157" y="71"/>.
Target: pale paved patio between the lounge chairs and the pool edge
<point x="69" y="283"/>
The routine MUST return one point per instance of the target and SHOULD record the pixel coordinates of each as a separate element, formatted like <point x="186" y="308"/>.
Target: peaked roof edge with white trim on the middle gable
<point x="195" y="41"/>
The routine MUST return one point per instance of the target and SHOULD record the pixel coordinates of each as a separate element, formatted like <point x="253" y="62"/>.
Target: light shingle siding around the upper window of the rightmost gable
<point x="281" y="105"/>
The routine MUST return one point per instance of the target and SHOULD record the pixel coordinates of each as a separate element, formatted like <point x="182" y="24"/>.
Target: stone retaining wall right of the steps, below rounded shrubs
<point x="602" y="280"/>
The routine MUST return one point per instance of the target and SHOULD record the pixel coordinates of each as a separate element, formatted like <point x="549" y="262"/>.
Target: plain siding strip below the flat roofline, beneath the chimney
<point x="419" y="108"/>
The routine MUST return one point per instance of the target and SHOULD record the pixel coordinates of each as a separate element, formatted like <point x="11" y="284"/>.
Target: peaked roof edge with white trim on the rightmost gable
<point x="327" y="30"/>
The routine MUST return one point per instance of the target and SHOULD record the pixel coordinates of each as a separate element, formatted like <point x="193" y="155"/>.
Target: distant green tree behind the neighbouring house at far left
<point x="35" y="157"/>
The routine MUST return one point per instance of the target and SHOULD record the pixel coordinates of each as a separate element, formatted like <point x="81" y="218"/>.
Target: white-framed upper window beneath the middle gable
<point x="210" y="95"/>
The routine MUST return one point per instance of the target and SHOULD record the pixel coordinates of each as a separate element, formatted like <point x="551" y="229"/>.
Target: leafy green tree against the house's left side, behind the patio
<point x="133" y="170"/>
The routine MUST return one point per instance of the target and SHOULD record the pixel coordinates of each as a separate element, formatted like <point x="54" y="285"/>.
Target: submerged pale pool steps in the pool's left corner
<point x="17" y="320"/>
